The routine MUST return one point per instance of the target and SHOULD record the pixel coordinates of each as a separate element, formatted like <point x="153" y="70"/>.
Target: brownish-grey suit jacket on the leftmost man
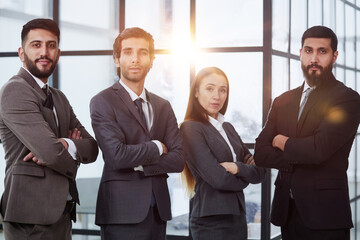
<point x="36" y="194"/>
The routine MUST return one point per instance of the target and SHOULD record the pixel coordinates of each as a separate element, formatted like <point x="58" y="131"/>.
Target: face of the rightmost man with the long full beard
<point x="317" y="60"/>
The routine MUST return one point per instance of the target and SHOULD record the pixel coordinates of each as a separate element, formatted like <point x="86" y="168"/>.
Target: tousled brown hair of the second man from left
<point x="134" y="32"/>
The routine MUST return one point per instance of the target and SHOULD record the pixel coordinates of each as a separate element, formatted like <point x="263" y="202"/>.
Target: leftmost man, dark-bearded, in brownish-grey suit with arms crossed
<point x="44" y="143"/>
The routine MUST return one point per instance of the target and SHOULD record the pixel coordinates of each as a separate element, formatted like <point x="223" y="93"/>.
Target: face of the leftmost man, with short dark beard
<point x="40" y="53"/>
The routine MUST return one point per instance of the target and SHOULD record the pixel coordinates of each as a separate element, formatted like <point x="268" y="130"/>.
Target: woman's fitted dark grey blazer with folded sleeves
<point x="217" y="191"/>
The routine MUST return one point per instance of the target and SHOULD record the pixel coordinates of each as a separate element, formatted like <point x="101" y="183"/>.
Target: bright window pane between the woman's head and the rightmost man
<point x="245" y="86"/>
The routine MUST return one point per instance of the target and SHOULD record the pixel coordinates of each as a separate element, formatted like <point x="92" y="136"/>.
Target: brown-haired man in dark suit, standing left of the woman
<point x="140" y="141"/>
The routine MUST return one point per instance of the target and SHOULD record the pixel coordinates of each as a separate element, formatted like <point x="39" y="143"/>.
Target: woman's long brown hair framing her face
<point x="194" y="110"/>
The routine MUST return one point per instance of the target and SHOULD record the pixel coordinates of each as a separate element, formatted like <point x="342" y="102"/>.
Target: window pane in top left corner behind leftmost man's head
<point x="13" y="15"/>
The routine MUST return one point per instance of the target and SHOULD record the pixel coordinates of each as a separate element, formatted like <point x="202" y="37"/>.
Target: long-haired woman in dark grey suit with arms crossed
<point x="218" y="164"/>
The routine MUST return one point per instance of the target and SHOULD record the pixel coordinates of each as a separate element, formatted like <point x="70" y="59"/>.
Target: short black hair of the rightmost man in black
<point x="320" y="32"/>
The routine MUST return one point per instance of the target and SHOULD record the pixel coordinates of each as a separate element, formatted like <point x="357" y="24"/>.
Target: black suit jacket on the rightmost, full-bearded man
<point x="315" y="159"/>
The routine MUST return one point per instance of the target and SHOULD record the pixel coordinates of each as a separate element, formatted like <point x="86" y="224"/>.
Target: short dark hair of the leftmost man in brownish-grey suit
<point x="42" y="23"/>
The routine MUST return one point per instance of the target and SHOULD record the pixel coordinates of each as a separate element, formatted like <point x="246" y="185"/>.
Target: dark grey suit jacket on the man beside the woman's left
<point x="124" y="194"/>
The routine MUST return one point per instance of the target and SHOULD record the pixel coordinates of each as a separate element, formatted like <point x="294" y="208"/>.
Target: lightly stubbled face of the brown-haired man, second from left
<point x="134" y="61"/>
